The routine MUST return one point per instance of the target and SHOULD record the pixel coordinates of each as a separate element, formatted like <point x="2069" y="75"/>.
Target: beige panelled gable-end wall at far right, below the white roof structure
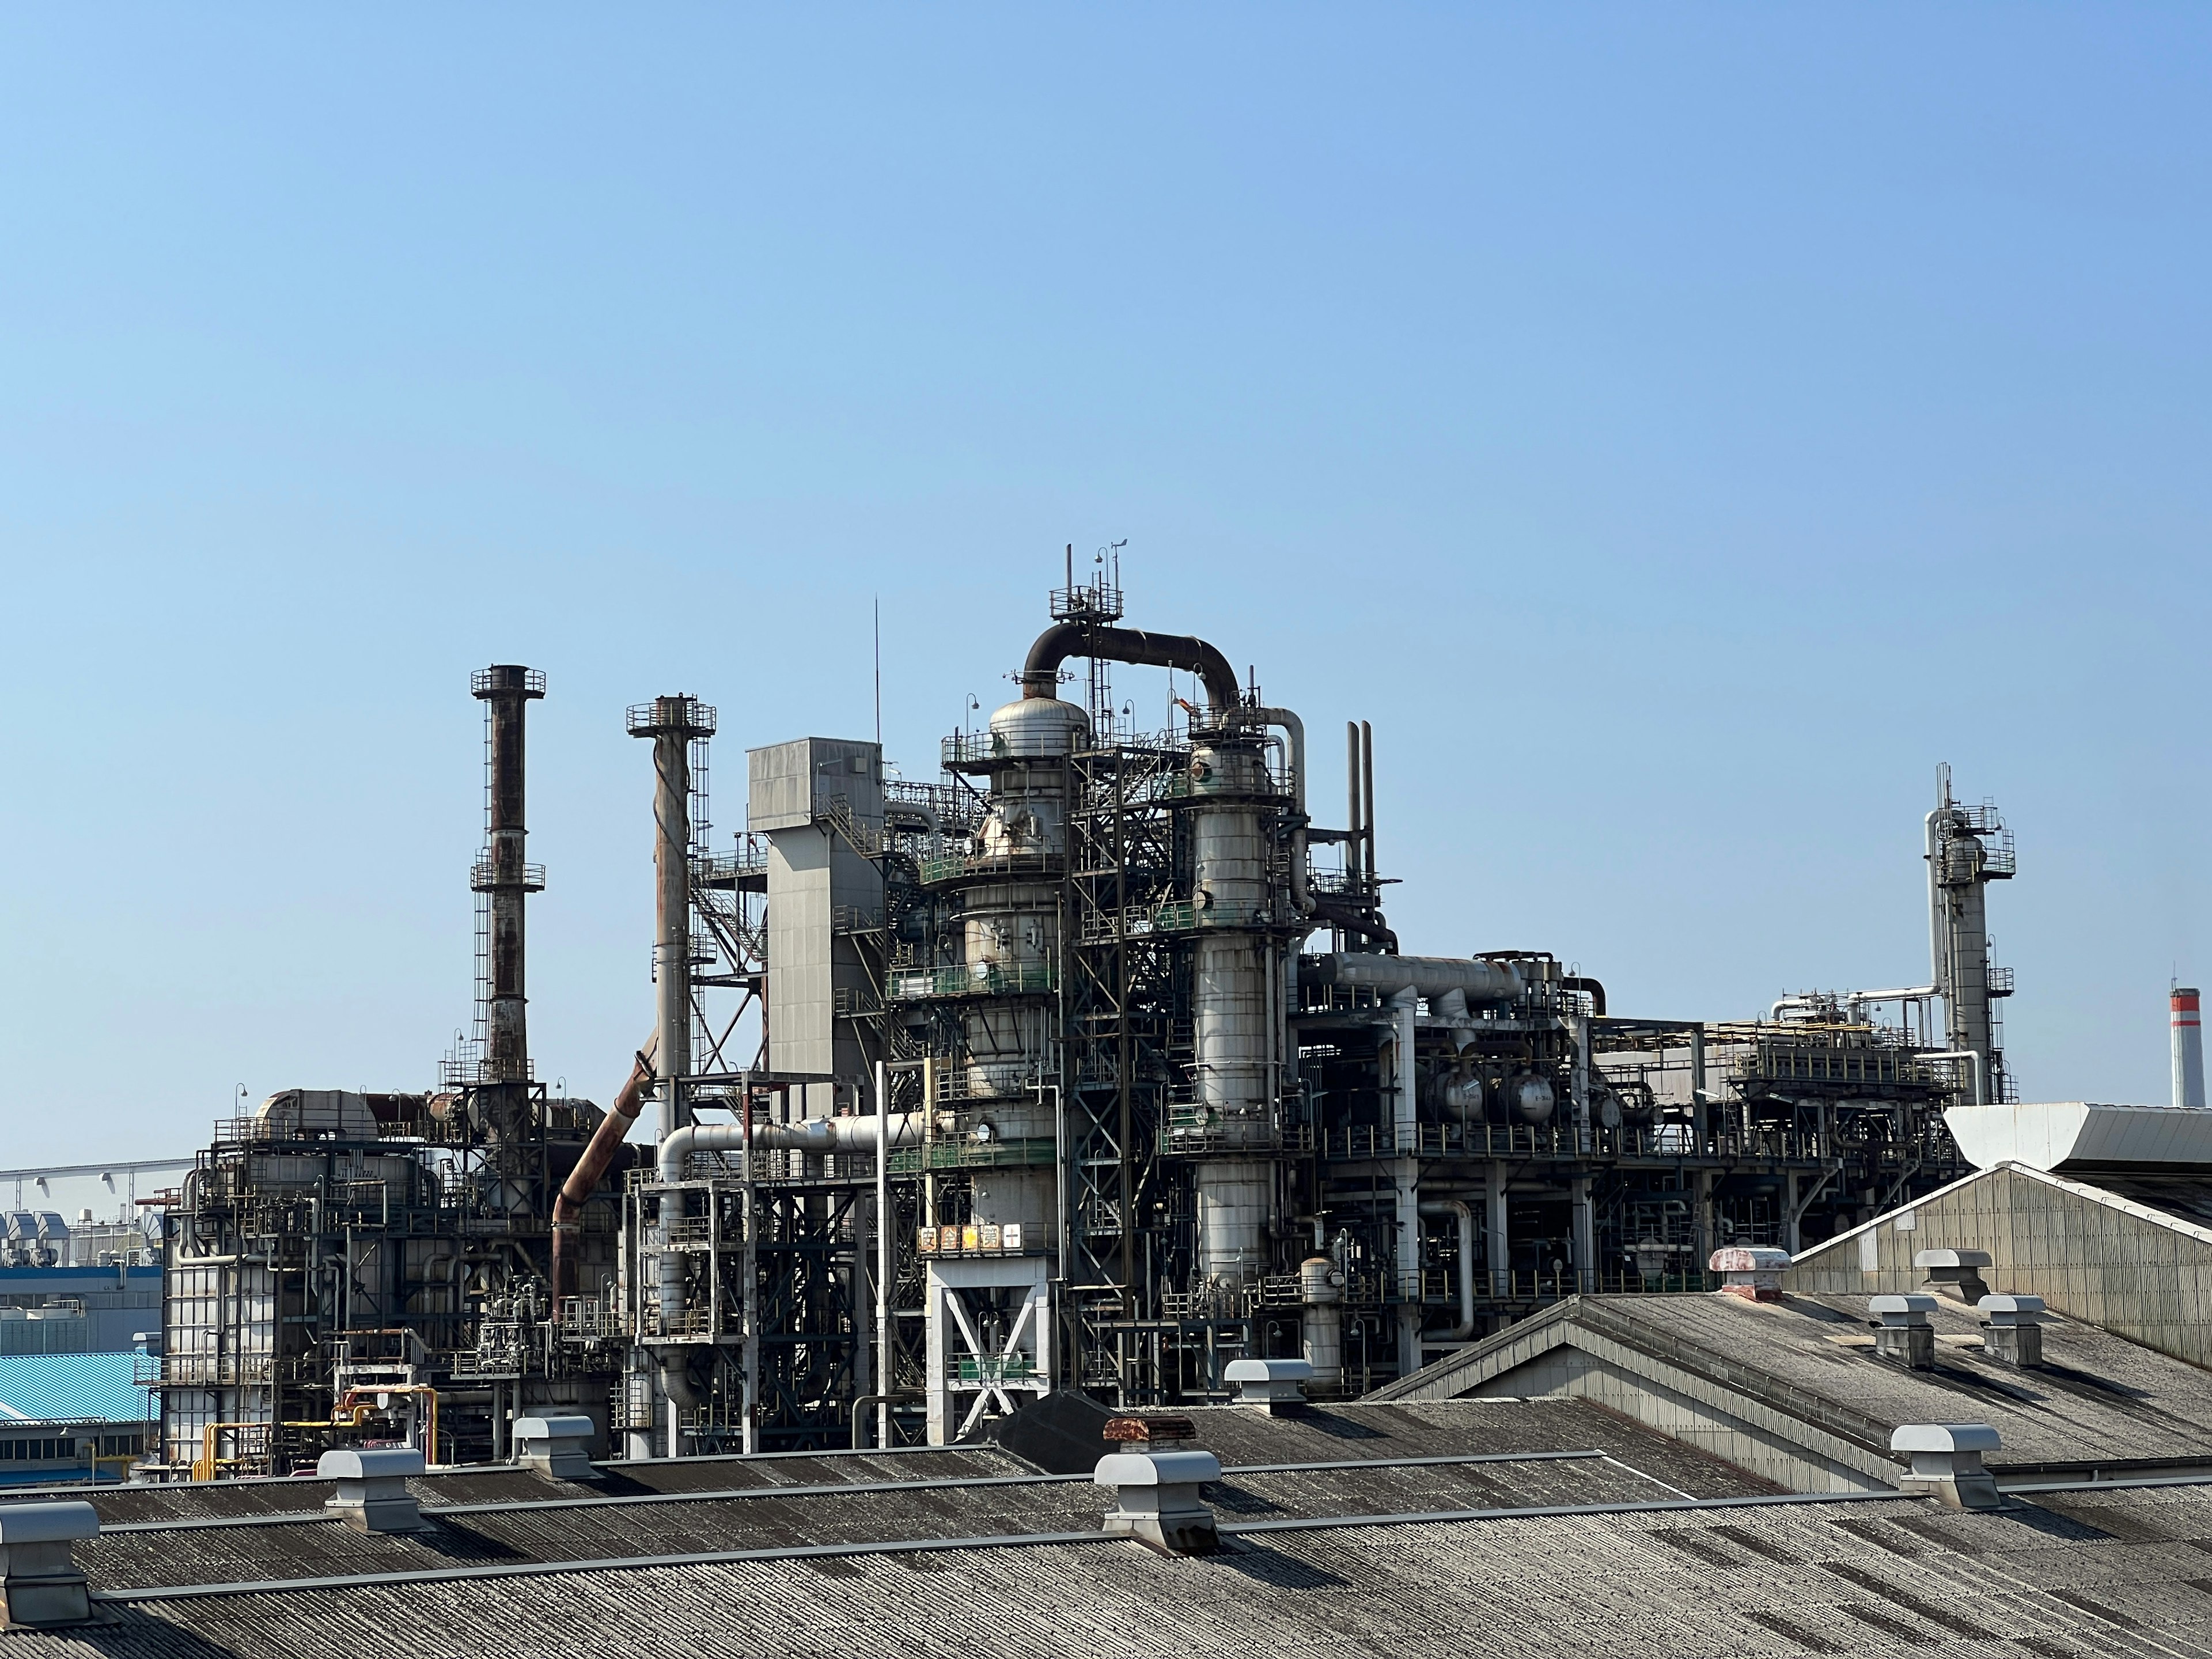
<point x="2129" y="1249"/>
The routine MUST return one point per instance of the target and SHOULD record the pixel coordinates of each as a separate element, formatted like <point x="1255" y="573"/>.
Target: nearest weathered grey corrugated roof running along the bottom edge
<point x="2065" y="1574"/>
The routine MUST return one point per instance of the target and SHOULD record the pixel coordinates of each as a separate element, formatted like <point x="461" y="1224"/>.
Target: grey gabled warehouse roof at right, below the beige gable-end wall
<point x="2098" y="1401"/>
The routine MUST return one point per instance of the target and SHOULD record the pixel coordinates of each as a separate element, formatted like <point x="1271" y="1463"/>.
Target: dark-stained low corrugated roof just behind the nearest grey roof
<point x="1324" y="1461"/>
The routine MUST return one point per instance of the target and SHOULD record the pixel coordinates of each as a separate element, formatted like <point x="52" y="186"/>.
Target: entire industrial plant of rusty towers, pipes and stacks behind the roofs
<point x="1087" y="1065"/>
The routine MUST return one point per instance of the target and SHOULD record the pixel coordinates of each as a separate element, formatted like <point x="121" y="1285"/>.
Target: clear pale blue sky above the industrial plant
<point x="1676" y="428"/>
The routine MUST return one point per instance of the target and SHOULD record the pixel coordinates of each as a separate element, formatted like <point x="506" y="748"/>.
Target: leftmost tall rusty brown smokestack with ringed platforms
<point x="503" y="875"/>
